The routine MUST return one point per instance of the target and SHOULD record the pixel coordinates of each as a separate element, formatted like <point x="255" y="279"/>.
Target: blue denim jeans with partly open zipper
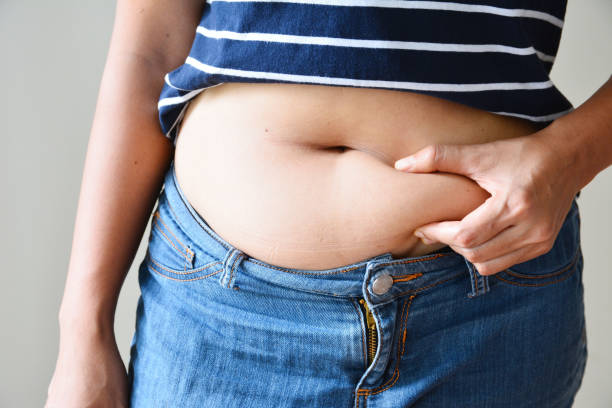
<point x="218" y="328"/>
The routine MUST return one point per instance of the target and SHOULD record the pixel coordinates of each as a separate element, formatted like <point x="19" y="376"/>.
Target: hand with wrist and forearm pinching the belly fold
<point x="532" y="181"/>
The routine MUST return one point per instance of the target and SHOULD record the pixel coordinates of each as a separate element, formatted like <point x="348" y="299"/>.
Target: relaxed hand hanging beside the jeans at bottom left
<point x="89" y="373"/>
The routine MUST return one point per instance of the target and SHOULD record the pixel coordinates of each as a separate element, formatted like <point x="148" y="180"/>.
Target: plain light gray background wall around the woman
<point x="53" y="55"/>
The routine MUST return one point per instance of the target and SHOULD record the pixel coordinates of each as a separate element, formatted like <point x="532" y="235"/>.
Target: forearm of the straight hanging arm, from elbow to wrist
<point x="127" y="156"/>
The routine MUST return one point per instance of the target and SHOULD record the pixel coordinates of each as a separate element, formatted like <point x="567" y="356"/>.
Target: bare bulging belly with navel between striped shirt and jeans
<point x="302" y="176"/>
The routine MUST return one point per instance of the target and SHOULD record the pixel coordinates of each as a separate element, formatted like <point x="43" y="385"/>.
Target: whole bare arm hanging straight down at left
<point x="126" y="159"/>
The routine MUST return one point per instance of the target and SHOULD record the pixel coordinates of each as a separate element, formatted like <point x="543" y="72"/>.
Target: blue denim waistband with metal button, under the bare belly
<point x="408" y="274"/>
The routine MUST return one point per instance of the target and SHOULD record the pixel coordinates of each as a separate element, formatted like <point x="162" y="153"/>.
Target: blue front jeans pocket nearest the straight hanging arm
<point x="171" y="253"/>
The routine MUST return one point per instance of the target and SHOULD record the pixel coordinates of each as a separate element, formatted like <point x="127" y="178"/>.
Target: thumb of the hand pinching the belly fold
<point x="440" y="157"/>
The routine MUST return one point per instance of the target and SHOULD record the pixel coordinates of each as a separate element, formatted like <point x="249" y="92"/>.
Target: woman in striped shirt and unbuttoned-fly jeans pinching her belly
<point x="282" y="267"/>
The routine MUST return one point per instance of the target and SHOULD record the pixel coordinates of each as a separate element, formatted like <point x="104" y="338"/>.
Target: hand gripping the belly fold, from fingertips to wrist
<point x="532" y="188"/>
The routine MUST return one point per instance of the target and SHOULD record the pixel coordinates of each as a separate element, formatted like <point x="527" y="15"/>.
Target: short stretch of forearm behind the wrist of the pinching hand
<point x="583" y="138"/>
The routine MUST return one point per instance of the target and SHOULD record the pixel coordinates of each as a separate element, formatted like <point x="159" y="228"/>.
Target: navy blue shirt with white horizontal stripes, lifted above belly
<point x="493" y="55"/>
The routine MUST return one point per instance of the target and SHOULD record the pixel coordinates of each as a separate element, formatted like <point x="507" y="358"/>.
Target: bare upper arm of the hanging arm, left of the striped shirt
<point x="159" y="31"/>
